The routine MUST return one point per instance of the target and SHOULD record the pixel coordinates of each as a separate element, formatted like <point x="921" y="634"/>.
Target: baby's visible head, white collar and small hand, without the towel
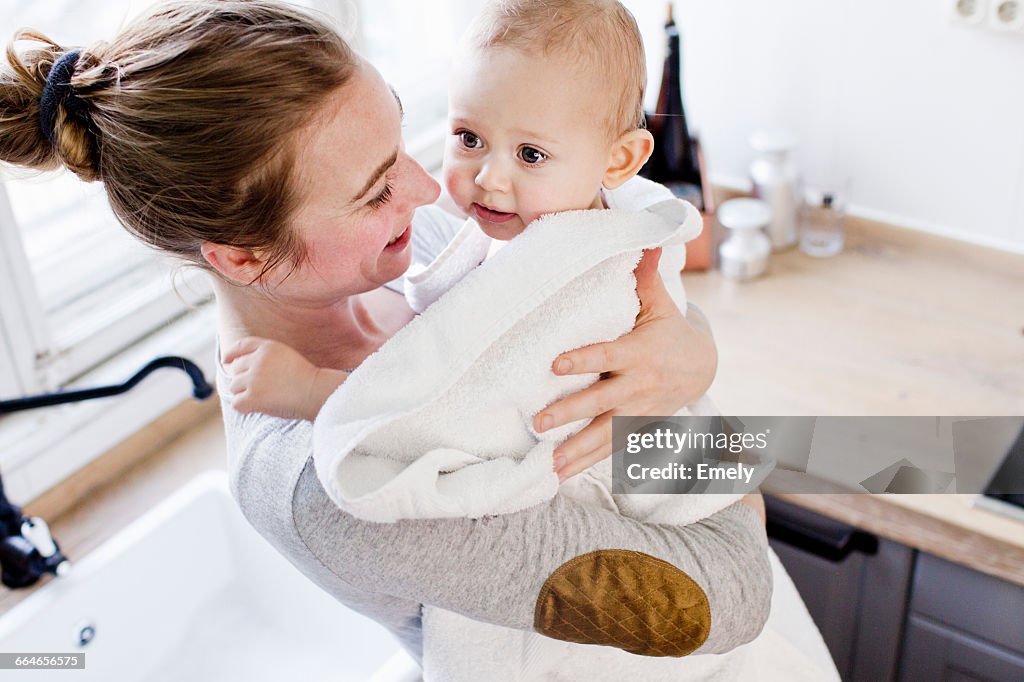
<point x="546" y="113"/>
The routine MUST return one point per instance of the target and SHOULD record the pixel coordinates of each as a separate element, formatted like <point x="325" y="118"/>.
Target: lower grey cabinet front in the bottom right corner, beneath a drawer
<point x="933" y="652"/>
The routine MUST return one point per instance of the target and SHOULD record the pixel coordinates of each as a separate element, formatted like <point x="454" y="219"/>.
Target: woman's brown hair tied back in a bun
<point x="190" y="118"/>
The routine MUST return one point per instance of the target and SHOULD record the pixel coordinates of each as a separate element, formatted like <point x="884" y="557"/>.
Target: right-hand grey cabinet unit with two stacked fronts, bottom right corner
<point x="963" y="626"/>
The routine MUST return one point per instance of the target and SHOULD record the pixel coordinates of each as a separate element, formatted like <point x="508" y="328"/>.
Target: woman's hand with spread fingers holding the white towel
<point x="663" y="365"/>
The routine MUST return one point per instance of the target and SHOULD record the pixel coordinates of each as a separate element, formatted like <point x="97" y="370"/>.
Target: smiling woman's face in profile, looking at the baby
<point x="358" y="191"/>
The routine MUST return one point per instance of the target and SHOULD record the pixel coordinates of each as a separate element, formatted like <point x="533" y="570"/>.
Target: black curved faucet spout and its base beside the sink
<point x="27" y="549"/>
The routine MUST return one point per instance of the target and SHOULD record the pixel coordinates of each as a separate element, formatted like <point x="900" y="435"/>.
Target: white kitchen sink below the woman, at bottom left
<point x="191" y="591"/>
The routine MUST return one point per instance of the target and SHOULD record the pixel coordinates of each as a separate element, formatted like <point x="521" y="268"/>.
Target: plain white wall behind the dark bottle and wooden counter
<point x="925" y="117"/>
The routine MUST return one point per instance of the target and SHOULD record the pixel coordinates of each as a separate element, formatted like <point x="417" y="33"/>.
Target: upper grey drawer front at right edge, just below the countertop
<point x="972" y="603"/>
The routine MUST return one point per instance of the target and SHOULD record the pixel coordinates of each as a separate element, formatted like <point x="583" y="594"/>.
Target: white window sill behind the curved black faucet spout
<point x="41" y="448"/>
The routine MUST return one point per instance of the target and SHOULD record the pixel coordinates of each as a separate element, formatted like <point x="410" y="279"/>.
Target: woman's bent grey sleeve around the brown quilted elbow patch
<point x="495" y="569"/>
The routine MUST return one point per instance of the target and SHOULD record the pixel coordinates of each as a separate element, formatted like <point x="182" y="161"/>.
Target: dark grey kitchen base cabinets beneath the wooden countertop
<point x="888" y="613"/>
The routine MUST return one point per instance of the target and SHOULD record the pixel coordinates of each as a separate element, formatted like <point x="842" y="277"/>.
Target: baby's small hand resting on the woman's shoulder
<point x="273" y="378"/>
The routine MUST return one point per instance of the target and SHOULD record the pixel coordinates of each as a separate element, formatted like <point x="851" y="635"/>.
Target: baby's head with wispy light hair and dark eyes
<point x="545" y="115"/>
